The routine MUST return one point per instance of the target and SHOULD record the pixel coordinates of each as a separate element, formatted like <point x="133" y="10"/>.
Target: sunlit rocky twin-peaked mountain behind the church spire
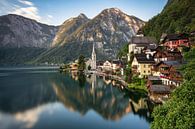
<point x="109" y="30"/>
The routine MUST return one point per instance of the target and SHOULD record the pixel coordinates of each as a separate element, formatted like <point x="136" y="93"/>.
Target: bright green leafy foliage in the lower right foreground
<point x="179" y="111"/>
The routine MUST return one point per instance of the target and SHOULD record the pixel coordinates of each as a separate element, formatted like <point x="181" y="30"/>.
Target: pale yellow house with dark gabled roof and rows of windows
<point x="142" y="64"/>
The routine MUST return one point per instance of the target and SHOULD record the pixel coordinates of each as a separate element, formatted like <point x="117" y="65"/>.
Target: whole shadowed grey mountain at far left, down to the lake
<point x="23" y="39"/>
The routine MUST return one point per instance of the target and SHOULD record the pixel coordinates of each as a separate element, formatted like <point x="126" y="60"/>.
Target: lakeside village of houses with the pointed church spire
<point x="157" y="64"/>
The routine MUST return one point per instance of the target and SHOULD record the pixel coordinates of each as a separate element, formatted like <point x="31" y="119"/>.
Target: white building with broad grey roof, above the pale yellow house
<point x="138" y="43"/>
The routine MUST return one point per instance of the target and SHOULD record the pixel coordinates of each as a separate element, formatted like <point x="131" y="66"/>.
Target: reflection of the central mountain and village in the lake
<point x="100" y="95"/>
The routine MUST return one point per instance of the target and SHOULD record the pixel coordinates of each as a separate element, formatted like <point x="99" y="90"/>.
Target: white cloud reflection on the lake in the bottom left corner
<point x="28" y="118"/>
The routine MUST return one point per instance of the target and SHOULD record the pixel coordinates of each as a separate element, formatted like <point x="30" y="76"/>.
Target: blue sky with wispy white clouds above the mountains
<point x="55" y="12"/>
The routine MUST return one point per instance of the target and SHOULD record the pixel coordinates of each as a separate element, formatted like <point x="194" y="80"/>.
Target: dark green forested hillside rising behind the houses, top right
<point x="177" y="16"/>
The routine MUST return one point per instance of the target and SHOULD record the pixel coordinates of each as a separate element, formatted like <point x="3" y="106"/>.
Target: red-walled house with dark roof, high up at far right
<point x="173" y="41"/>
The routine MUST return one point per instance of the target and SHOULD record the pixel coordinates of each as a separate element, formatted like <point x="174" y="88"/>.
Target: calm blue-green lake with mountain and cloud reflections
<point x="38" y="98"/>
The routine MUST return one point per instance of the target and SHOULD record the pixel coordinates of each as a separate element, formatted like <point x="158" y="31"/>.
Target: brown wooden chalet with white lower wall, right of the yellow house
<point x="167" y="72"/>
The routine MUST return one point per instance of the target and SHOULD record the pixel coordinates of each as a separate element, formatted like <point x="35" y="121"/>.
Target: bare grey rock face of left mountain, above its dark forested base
<point x="17" y="31"/>
